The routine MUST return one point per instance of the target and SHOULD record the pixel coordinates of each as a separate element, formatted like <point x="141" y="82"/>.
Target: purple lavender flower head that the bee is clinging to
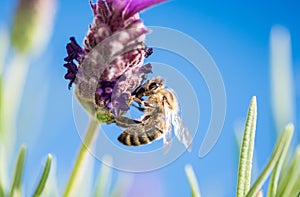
<point x="110" y="65"/>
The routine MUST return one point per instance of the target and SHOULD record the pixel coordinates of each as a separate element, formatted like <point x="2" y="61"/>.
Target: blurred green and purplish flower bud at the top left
<point x="32" y="24"/>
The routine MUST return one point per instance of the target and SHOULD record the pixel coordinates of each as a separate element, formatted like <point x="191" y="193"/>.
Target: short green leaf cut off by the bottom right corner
<point x="289" y="179"/>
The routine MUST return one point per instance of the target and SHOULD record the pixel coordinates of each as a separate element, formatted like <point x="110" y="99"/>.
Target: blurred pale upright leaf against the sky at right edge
<point x="281" y="75"/>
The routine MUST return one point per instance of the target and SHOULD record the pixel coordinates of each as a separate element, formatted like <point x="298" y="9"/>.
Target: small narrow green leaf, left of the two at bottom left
<point x="18" y="173"/>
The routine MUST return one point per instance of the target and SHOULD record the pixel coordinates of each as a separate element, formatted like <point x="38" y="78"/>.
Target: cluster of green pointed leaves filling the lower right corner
<point x="283" y="181"/>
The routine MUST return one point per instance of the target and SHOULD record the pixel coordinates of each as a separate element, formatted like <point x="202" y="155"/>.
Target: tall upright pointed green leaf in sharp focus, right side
<point x="246" y="155"/>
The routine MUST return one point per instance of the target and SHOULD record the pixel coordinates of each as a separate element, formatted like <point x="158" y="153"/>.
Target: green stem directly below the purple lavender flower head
<point x="87" y="142"/>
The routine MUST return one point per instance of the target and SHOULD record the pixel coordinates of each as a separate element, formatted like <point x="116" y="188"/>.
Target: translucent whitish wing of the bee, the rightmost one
<point x="181" y="131"/>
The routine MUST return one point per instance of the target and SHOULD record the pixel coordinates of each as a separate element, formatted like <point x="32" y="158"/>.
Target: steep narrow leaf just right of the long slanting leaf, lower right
<point x="273" y="185"/>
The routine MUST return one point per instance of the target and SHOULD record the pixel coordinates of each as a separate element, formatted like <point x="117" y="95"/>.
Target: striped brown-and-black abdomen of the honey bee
<point x="142" y="133"/>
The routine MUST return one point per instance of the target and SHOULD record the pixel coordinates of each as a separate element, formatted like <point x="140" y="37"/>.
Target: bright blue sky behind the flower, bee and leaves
<point x="236" y="34"/>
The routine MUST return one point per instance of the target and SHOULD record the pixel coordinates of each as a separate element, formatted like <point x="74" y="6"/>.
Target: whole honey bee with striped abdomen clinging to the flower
<point x="160" y="113"/>
